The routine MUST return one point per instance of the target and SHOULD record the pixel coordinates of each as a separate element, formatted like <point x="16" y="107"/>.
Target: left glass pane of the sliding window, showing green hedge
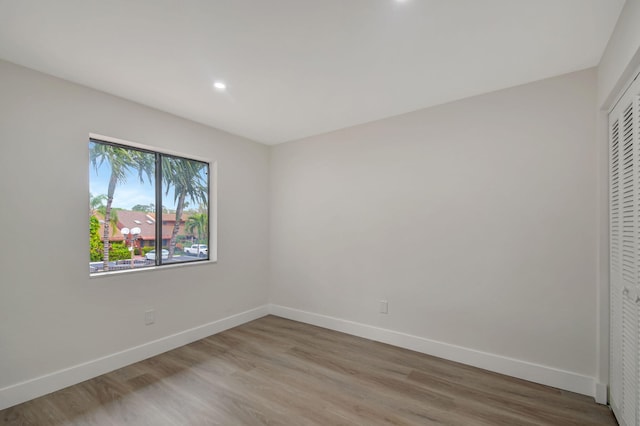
<point x="122" y="198"/>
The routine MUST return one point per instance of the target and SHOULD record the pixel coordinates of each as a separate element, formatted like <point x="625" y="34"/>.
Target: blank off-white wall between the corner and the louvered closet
<point x="476" y="220"/>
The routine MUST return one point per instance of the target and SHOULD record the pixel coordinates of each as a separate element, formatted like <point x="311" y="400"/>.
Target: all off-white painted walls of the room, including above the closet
<point x="476" y="220"/>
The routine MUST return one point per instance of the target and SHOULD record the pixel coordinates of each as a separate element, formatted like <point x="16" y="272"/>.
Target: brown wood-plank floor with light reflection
<point x="280" y="372"/>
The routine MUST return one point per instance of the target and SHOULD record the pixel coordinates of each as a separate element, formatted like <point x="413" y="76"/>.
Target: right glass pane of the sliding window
<point x="185" y="209"/>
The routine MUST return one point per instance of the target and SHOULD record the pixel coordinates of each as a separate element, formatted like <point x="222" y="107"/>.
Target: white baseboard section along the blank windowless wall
<point x="549" y="376"/>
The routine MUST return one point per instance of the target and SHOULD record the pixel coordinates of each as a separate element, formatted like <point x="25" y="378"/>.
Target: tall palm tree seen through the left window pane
<point x="121" y="161"/>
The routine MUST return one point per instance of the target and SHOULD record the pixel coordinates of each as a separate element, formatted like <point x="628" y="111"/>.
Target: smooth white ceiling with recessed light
<point x="296" y="68"/>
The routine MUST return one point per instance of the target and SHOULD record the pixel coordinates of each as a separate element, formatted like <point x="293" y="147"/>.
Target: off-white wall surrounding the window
<point x="52" y="315"/>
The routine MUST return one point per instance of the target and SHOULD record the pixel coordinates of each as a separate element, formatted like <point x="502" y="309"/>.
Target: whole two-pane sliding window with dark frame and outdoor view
<point x="146" y="208"/>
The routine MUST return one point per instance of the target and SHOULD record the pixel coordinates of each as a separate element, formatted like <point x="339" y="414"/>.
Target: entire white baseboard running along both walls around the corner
<point x="33" y="388"/>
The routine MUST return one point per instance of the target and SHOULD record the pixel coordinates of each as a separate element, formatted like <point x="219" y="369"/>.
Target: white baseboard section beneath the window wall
<point x="33" y="388"/>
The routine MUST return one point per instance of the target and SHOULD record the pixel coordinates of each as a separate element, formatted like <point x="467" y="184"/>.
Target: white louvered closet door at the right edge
<point x="624" y="216"/>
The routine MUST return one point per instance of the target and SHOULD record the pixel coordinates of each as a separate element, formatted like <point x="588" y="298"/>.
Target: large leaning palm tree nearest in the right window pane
<point x="188" y="180"/>
